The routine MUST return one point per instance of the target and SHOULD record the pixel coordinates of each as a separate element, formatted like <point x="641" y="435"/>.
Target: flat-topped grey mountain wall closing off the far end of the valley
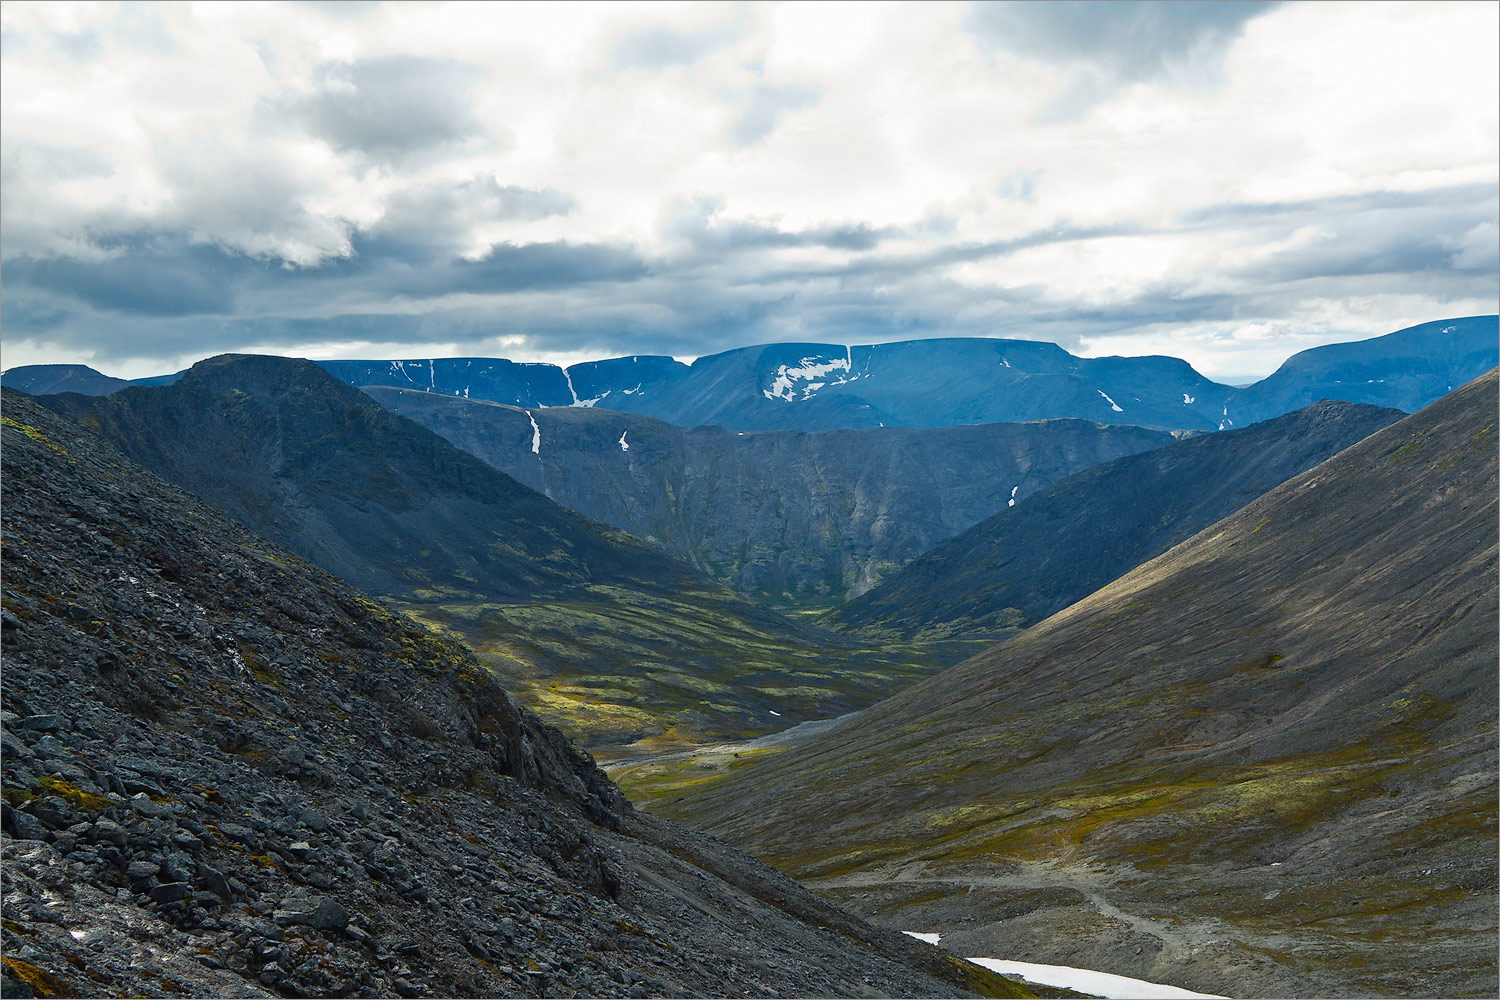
<point x="784" y="518"/>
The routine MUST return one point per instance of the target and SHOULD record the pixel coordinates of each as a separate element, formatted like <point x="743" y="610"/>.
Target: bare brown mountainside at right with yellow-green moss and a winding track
<point x="1262" y="764"/>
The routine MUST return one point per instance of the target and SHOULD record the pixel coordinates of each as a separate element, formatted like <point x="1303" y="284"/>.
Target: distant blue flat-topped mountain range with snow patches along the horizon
<point x="941" y="383"/>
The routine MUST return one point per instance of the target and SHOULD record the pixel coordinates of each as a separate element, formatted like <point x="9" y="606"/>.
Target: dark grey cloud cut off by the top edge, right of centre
<point x="1109" y="46"/>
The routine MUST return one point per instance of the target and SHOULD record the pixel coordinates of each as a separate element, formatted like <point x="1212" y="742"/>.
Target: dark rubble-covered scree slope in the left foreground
<point x="230" y="774"/>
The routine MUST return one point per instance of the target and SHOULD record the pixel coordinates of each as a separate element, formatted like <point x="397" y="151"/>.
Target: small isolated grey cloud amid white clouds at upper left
<point x="389" y="109"/>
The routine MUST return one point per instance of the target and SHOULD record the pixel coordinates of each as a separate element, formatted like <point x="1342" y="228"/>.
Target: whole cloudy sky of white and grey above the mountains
<point x="1228" y="184"/>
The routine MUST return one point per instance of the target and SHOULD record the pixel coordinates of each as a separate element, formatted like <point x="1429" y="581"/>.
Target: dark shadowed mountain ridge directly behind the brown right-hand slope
<point x="1069" y="540"/>
